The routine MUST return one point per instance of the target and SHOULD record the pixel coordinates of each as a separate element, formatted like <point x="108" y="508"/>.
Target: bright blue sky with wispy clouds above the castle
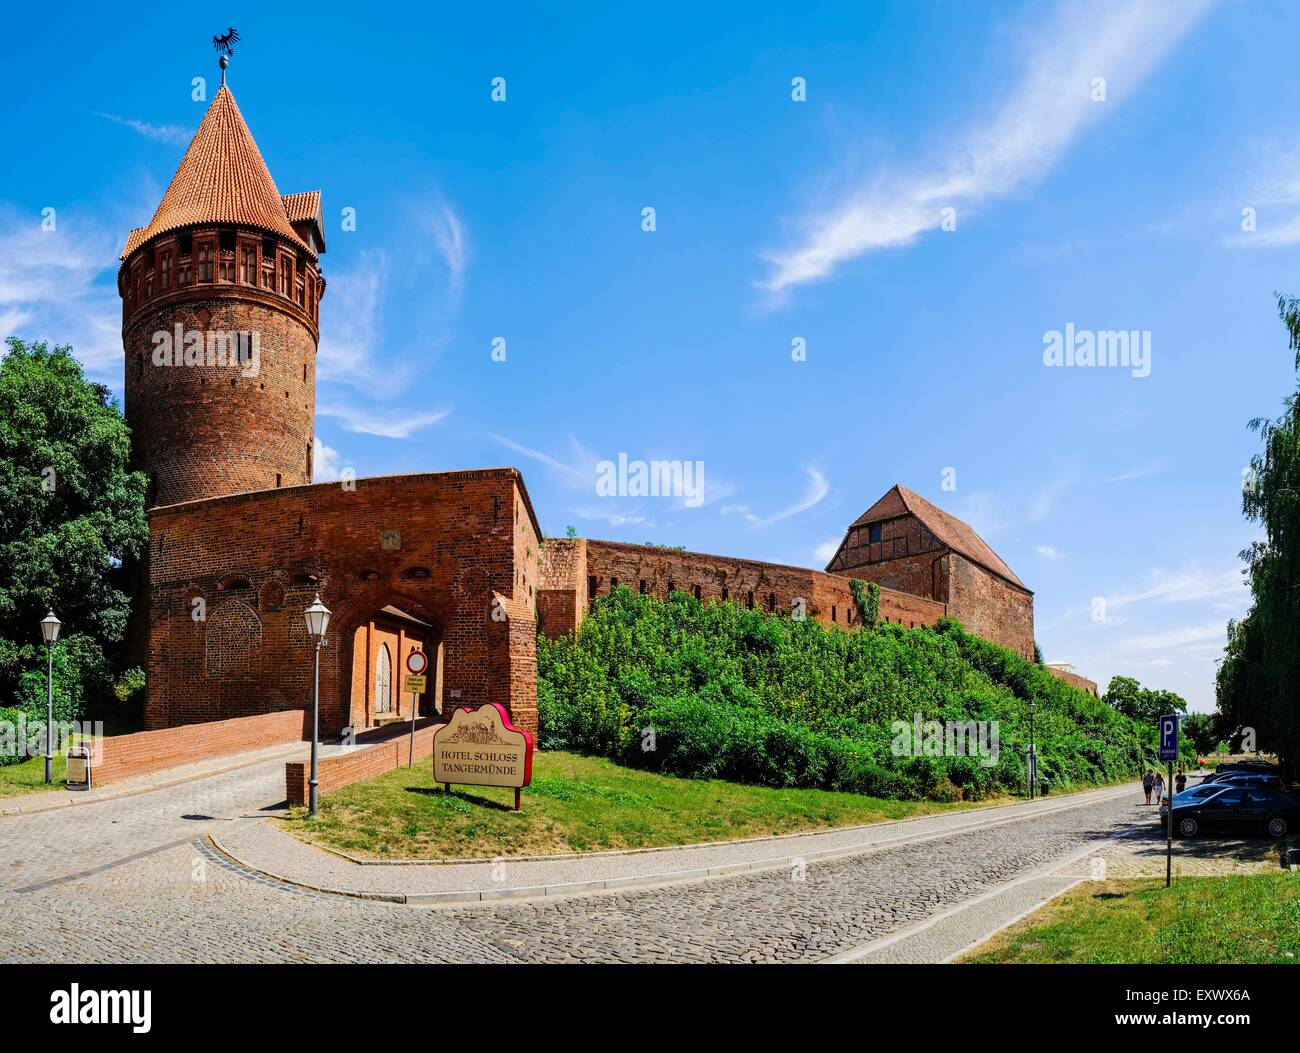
<point x="775" y="220"/>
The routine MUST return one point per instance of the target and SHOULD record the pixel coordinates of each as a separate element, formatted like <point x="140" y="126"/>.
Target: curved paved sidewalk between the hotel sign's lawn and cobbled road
<point x="270" y="852"/>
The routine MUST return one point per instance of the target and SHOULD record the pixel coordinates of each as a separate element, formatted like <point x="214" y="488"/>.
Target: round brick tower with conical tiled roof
<point x="220" y="323"/>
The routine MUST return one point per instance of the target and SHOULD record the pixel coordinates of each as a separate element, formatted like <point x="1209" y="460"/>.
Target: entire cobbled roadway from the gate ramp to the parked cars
<point x="129" y="881"/>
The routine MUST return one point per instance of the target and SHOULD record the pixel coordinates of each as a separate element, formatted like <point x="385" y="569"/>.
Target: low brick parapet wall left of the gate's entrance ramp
<point x="125" y="756"/>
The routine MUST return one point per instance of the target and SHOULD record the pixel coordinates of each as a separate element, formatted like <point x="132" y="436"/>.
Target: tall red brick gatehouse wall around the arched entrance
<point x="456" y="548"/>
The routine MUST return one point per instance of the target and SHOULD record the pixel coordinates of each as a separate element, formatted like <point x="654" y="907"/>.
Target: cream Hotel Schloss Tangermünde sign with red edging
<point x="482" y="748"/>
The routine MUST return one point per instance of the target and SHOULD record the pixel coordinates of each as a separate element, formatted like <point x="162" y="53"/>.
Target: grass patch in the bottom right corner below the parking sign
<point x="1214" y="921"/>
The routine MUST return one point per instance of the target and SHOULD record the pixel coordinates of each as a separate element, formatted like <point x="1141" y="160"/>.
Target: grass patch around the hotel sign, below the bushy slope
<point x="575" y="804"/>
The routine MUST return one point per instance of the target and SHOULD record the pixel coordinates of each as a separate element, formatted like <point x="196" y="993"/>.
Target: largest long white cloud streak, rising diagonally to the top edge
<point x="1019" y="145"/>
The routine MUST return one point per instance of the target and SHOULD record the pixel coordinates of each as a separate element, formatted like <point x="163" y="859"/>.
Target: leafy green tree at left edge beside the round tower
<point x="70" y="515"/>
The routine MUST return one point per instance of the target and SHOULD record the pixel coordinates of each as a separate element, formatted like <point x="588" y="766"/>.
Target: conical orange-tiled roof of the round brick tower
<point x="222" y="179"/>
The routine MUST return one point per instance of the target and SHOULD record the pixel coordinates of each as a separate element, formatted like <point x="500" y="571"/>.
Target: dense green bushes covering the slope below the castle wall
<point x="722" y="692"/>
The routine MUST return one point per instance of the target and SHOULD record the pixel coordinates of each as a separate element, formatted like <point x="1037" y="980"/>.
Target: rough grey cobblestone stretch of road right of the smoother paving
<point x="770" y="917"/>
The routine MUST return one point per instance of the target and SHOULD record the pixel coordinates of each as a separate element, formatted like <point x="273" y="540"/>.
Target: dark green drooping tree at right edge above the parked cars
<point x="1256" y="684"/>
